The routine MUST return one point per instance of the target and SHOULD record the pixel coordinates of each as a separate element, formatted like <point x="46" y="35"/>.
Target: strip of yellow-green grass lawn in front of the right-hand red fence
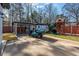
<point x="74" y="38"/>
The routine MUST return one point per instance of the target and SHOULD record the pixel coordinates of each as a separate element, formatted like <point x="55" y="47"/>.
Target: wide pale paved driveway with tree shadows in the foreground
<point x="28" y="46"/>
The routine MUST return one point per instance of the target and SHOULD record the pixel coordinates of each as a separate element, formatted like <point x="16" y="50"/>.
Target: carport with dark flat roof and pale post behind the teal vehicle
<point x="24" y="28"/>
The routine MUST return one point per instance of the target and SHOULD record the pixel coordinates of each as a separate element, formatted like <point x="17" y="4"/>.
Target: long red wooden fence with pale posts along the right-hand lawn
<point x="69" y="29"/>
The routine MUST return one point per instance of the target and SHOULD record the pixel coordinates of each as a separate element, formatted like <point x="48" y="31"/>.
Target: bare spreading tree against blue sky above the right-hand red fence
<point x="72" y="10"/>
